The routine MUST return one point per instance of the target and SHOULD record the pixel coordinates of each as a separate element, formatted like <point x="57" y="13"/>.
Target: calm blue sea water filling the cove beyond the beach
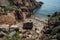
<point x="49" y="7"/>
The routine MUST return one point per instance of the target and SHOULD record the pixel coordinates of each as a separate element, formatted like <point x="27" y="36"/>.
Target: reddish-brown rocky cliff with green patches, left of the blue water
<point x="21" y="9"/>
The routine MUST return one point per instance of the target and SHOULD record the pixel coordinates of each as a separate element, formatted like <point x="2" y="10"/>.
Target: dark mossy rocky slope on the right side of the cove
<point x="52" y="31"/>
